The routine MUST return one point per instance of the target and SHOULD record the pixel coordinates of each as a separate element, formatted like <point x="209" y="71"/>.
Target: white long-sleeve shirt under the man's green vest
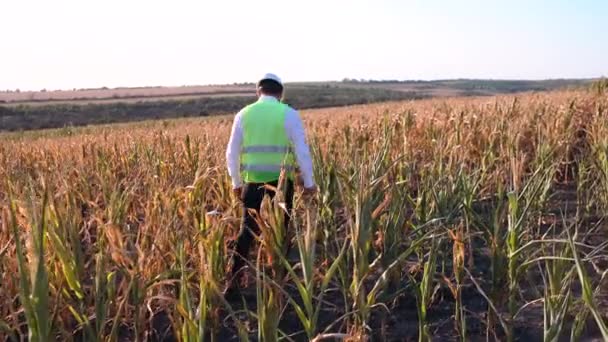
<point x="295" y="133"/>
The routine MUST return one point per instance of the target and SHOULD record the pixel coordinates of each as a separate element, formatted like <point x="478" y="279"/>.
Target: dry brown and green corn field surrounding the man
<point x="447" y="219"/>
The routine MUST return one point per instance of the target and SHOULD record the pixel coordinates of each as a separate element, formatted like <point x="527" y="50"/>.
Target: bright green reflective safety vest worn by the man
<point x="266" y="150"/>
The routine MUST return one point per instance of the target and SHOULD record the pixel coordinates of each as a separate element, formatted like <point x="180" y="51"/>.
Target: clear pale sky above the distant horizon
<point x="65" y="44"/>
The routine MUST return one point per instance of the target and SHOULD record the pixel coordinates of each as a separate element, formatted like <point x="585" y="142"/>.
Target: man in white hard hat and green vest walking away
<point x="266" y="136"/>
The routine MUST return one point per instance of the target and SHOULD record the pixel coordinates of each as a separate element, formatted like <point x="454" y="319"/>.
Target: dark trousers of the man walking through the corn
<point x="253" y="194"/>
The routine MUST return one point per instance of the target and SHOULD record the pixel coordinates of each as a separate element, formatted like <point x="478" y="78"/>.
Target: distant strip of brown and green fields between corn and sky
<point x="52" y="109"/>
